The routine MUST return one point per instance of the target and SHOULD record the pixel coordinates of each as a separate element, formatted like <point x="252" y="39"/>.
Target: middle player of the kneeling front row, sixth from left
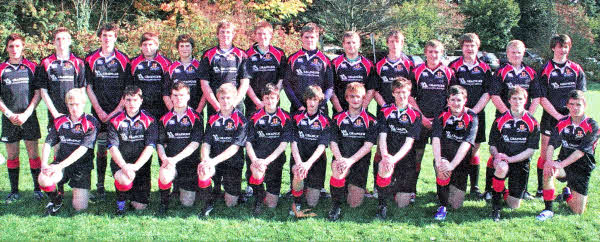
<point x="311" y="137"/>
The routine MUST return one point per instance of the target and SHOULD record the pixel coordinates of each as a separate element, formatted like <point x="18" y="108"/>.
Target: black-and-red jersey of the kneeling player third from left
<point x="175" y="133"/>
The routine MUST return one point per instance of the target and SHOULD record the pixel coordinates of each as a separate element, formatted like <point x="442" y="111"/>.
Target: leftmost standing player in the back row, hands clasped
<point x="18" y="100"/>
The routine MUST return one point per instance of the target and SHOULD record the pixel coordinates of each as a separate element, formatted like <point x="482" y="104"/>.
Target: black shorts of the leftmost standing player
<point x="30" y="130"/>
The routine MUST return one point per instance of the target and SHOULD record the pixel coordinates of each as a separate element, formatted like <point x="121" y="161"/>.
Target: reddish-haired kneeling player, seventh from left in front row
<point x="353" y="134"/>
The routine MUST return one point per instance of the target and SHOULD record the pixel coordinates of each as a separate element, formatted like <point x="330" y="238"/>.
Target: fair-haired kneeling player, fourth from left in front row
<point x="225" y="133"/>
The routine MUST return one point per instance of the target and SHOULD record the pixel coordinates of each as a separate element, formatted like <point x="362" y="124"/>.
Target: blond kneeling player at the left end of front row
<point x="73" y="161"/>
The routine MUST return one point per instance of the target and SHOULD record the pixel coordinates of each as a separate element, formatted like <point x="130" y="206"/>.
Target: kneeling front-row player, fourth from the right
<point x="400" y="125"/>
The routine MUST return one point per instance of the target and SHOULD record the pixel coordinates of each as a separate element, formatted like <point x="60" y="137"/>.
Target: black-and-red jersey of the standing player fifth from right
<point x="388" y="72"/>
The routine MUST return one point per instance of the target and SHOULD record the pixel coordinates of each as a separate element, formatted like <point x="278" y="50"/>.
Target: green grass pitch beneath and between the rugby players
<point x="22" y="220"/>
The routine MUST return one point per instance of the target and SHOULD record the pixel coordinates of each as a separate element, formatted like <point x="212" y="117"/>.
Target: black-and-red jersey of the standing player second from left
<point x="59" y="77"/>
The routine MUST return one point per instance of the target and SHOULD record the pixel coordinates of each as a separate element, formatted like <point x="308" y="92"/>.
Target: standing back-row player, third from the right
<point x="475" y="76"/>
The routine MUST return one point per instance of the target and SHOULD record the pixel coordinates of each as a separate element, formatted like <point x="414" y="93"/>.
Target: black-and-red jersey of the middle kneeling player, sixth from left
<point x="311" y="131"/>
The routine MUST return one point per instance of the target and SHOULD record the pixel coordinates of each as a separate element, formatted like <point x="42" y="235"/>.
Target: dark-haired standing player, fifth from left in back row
<point x="186" y="70"/>
